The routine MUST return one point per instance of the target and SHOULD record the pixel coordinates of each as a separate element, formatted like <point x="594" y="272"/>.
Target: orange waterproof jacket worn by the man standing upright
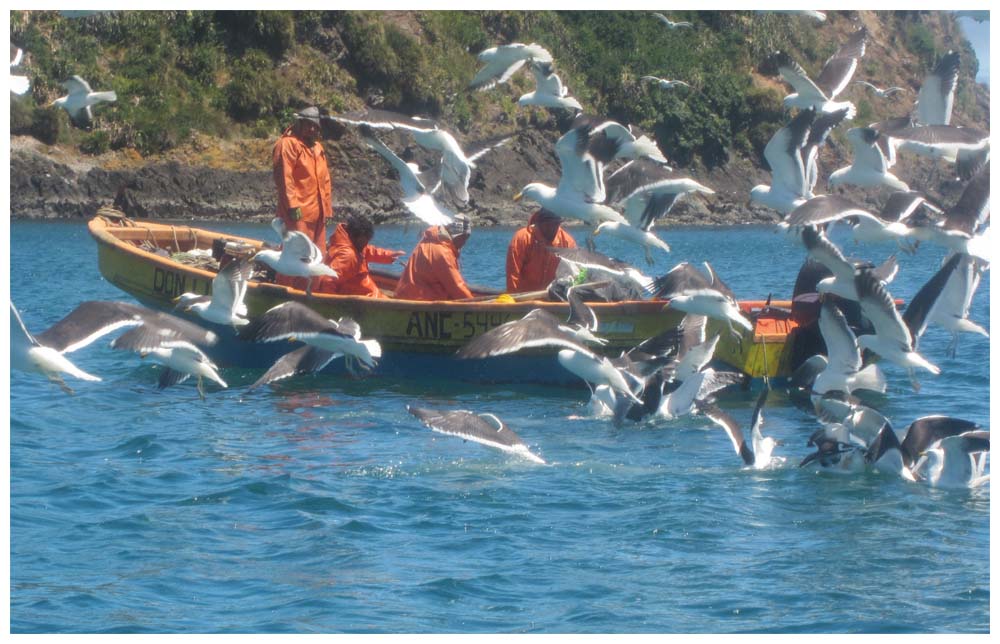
<point x="302" y="178"/>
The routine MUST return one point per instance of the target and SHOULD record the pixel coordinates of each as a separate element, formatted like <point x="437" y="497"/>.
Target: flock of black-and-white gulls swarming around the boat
<point x="670" y="376"/>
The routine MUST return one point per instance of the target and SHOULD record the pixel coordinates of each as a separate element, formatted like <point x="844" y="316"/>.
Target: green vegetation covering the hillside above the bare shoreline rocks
<point x="233" y="74"/>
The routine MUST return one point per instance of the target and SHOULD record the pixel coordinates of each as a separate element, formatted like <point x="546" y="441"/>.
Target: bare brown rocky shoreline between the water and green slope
<point x="51" y="183"/>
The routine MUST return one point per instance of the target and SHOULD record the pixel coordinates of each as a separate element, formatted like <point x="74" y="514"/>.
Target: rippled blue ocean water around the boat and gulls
<point x="321" y="505"/>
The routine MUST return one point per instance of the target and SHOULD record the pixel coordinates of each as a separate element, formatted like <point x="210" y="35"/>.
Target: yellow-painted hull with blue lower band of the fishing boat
<point x="135" y="257"/>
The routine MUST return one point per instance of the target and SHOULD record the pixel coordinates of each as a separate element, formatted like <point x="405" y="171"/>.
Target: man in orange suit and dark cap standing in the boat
<point x="302" y="178"/>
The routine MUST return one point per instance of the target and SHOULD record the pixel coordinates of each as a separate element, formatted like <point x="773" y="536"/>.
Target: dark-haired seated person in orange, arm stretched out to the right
<point x="349" y="253"/>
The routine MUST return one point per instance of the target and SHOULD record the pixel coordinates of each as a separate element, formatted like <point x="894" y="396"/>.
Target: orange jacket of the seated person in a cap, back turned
<point x="432" y="272"/>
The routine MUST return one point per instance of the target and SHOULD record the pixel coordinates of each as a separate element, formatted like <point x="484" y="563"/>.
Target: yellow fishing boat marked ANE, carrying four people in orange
<point x="156" y="262"/>
